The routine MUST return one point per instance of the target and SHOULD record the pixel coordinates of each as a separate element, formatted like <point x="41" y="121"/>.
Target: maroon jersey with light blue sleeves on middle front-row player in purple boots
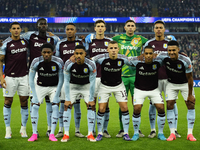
<point x="111" y="70"/>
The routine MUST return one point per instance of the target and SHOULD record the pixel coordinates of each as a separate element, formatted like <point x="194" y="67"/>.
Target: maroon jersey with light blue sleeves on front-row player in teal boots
<point x="146" y="74"/>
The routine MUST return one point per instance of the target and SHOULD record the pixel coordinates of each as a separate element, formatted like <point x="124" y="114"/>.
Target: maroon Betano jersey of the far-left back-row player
<point x="15" y="52"/>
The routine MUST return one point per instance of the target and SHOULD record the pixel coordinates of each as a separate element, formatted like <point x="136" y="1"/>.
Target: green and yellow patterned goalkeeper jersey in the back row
<point x="129" y="46"/>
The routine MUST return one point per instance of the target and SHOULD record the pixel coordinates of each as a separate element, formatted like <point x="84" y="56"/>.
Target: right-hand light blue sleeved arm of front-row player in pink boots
<point x="60" y="83"/>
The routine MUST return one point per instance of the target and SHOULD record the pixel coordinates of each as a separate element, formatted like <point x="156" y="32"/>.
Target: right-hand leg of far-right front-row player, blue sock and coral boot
<point x="190" y="114"/>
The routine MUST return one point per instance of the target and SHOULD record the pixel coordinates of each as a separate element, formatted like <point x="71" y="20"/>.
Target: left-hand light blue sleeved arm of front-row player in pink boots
<point x="32" y="72"/>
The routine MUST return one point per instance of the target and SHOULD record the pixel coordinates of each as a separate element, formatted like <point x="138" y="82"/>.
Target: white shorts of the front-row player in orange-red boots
<point x="78" y="91"/>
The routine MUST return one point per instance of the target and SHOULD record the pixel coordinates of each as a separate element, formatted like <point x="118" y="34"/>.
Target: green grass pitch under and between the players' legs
<point x="17" y="143"/>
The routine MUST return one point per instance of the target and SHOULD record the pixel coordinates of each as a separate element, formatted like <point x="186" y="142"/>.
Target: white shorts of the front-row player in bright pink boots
<point x="43" y="91"/>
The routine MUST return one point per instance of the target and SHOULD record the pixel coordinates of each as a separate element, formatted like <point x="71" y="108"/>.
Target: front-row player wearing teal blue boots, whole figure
<point x="146" y="85"/>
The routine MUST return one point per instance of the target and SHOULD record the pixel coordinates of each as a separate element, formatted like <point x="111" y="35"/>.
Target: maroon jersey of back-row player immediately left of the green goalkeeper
<point x="97" y="47"/>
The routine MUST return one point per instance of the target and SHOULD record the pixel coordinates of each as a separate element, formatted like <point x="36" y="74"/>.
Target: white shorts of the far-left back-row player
<point x="19" y="84"/>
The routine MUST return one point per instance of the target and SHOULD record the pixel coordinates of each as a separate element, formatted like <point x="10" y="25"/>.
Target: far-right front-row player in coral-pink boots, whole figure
<point x="179" y="72"/>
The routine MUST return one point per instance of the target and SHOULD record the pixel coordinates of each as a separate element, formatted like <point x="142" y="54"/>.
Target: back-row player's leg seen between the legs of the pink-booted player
<point x="49" y="114"/>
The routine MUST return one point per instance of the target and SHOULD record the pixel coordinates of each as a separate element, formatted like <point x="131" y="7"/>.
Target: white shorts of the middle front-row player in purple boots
<point x="118" y="91"/>
